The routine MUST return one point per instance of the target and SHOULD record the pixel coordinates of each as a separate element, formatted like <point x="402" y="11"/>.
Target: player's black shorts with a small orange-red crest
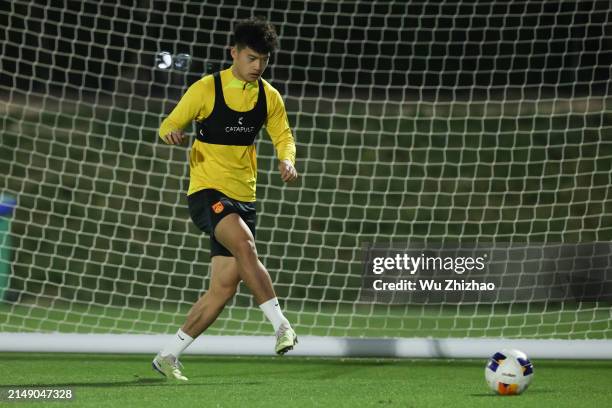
<point x="207" y="207"/>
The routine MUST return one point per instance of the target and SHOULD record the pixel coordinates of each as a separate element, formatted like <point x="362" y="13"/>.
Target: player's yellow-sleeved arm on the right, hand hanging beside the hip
<point x="279" y="130"/>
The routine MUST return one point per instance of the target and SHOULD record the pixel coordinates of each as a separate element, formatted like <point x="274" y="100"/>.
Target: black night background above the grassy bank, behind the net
<point x="384" y="48"/>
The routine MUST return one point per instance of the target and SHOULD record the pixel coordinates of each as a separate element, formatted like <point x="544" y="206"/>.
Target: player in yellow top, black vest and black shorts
<point x="229" y="108"/>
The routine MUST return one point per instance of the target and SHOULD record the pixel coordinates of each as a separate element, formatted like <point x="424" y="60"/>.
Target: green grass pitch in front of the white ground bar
<point x="128" y="381"/>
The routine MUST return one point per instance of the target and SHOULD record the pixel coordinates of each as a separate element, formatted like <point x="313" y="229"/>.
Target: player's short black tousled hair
<point x="257" y="34"/>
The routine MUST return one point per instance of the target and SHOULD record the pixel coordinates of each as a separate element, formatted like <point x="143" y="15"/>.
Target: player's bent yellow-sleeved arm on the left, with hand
<point x="188" y="109"/>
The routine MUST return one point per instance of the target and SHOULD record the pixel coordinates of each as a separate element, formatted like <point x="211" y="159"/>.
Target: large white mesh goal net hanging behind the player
<point x="417" y="123"/>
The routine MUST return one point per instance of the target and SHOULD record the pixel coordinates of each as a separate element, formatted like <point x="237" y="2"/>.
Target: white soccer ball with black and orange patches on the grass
<point x="509" y="372"/>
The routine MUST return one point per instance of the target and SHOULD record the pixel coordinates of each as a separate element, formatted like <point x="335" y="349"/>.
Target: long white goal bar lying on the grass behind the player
<point x="310" y="346"/>
